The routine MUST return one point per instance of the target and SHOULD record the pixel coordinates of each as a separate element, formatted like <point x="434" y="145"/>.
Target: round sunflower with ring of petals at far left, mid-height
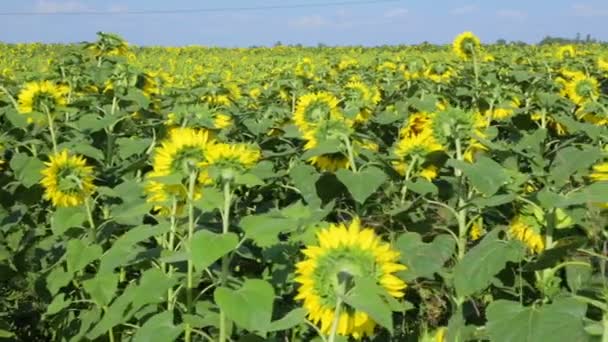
<point x="67" y="180"/>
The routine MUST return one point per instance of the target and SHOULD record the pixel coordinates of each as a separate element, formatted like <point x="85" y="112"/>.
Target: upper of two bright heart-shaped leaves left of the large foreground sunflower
<point x="208" y="247"/>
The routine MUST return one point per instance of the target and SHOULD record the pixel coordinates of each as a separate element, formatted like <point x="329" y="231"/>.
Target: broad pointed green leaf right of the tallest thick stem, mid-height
<point x="486" y="175"/>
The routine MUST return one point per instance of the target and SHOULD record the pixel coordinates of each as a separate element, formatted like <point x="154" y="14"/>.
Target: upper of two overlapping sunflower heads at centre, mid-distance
<point x="315" y="108"/>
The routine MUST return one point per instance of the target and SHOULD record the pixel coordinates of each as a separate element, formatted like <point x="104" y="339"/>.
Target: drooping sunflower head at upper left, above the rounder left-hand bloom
<point x="40" y="96"/>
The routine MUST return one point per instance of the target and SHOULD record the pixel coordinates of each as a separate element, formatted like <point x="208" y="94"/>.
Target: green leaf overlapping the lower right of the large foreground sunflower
<point x="366" y="296"/>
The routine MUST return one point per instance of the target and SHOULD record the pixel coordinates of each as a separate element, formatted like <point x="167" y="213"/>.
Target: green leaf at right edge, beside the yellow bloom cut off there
<point x="571" y="160"/>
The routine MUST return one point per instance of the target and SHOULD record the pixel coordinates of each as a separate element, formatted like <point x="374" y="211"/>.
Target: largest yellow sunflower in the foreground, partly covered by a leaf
<point x="345" y="251"/>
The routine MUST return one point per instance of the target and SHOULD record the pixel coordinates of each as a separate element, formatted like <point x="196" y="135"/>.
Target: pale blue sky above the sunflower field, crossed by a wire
<point x="406" y="21"/>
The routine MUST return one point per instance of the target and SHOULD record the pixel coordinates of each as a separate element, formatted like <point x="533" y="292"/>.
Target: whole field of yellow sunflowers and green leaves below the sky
<point x="406" y="193"/>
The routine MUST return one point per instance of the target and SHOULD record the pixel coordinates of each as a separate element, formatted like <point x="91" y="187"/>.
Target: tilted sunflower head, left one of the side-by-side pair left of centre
<point x="182" y="152"/>
